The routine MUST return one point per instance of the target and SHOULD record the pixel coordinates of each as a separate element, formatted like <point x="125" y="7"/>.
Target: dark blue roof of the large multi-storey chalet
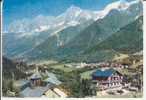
<point x="104" y="73"/>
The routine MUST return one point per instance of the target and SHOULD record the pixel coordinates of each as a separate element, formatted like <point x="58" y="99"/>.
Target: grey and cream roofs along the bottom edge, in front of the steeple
<point x="43" y="91"/>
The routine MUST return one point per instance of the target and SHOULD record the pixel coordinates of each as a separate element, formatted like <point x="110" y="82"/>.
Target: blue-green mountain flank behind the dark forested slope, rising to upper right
<point x="104" y="27"/>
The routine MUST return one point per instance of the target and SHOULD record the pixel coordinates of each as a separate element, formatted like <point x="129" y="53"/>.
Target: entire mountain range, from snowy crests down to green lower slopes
<point x="77" y="34"/>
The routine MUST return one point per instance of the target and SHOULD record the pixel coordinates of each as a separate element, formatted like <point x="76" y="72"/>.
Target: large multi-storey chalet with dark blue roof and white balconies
<point x="106" y="79"/>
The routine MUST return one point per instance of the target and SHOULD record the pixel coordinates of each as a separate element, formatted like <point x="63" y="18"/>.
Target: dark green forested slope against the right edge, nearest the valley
<point x="128" y="39"/>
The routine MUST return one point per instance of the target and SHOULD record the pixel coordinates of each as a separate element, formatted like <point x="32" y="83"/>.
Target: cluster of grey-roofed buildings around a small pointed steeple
<point x="41" y="85"/>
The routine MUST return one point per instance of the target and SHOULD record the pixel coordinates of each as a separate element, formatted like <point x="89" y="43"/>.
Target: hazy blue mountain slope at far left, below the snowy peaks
<point x="13" y="45"/>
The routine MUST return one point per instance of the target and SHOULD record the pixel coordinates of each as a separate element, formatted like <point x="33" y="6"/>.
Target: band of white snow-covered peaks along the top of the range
<point x="71" y="17"/>
